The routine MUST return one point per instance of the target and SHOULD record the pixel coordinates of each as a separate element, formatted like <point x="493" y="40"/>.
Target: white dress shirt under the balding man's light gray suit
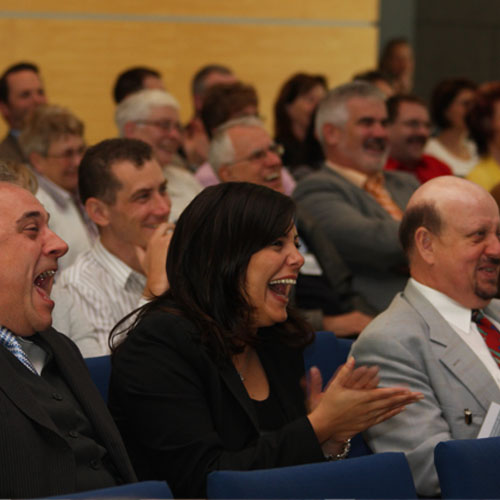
<point x="460" y="320"/>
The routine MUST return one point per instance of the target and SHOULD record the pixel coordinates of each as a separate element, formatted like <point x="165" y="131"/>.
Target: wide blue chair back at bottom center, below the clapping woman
<point x="385" y="475"/>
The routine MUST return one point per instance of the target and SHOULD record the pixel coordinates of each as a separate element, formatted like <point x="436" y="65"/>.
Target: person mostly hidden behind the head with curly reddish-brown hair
<point x="195" y="143"/>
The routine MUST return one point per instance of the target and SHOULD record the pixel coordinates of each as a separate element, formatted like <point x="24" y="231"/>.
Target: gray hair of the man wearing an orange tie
<point x="333" y="108"/>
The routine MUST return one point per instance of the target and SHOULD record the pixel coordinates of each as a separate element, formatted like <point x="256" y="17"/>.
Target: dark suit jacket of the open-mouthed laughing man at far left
<point x="35" y="459"/>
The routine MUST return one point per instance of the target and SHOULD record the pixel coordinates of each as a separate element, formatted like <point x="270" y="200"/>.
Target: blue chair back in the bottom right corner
<point x="468" y="468"/>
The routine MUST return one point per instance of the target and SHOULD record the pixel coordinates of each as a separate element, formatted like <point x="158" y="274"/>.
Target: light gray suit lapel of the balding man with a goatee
<point x="454" y="353"/>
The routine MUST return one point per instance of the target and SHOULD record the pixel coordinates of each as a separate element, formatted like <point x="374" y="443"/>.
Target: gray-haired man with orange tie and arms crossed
<point x="352" y="201"/>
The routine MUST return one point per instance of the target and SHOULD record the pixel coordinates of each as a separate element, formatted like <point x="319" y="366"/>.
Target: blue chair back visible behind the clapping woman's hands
<point x="328" y="352"/>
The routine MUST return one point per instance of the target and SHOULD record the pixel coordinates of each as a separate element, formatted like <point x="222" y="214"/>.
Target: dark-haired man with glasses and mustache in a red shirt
<point x="409" y="128"/>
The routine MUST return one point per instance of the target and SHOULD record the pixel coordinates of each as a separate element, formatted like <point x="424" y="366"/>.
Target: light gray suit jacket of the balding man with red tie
<point x="415" y="347"/>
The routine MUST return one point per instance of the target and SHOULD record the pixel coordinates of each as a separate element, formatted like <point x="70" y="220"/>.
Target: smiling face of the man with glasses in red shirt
<point x="409" y="132"/>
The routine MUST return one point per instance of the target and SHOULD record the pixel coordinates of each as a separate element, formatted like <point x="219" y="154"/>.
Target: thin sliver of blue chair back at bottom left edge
<point x="143" y="489"/>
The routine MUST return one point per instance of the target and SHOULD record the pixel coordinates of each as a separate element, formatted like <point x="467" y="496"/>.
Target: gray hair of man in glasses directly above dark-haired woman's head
<point x="221" y="147"/>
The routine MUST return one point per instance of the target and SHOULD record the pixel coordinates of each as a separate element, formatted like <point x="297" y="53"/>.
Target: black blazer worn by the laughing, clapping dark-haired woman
<point x="182" y="416"/>
